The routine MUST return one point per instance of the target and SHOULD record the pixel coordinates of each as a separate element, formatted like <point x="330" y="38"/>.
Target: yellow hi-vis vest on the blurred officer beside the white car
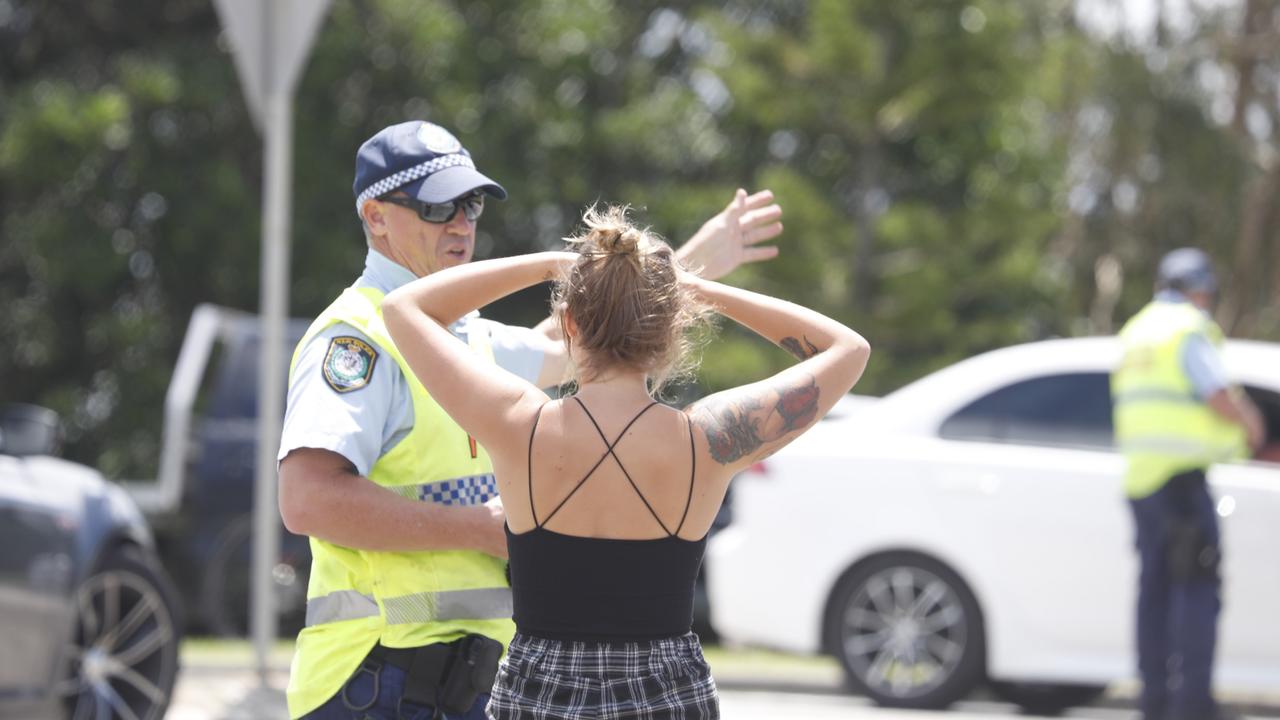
<point x="1163" y="429"/>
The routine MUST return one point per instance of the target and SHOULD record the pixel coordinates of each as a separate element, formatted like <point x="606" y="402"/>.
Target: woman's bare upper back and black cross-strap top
<point x="607" y="554"/>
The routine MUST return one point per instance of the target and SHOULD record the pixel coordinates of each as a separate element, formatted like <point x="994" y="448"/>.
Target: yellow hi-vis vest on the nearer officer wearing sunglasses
<point x="358" y="598"/>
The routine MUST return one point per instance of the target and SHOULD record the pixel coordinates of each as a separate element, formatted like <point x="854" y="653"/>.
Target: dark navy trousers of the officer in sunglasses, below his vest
<point x="374" y="694"/>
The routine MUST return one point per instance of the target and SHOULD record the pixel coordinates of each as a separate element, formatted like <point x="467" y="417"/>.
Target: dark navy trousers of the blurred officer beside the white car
<point x="1177" y="617"/>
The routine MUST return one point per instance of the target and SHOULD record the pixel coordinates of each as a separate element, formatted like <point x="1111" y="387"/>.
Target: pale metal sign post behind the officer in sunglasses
<point x="278" y="144"/>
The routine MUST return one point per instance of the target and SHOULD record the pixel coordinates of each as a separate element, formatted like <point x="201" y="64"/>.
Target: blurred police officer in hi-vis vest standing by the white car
<point x="1176" y="414"/>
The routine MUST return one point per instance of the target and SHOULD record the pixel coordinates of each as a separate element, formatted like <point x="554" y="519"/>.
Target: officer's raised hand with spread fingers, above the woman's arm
<point x="733" y="236"/>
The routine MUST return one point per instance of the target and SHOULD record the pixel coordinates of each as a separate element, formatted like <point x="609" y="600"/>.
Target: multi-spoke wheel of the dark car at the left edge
<point x="124" y="659"/>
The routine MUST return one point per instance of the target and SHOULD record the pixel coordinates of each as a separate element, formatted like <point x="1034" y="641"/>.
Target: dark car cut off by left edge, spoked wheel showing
<point x="88" y="619"/>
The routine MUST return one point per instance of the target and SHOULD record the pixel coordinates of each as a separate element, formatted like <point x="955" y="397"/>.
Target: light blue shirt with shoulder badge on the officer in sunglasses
<point x="364" y="425"/>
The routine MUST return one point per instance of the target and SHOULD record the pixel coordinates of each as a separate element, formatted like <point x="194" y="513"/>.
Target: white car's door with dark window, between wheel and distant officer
<point x="1052" y="543"/>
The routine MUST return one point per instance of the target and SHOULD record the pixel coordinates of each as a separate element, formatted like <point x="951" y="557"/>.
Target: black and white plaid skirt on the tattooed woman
<point x="543" y="680"/>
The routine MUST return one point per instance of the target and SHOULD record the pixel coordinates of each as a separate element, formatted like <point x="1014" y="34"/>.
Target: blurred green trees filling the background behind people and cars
<point x="957" y="175"/>
